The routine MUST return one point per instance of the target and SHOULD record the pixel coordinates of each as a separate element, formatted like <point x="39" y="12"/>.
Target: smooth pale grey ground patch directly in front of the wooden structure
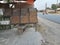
<point x="28" y="37"/>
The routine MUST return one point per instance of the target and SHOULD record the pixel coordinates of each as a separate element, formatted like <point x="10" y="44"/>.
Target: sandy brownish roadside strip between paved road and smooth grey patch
<point x="50" y="31"/>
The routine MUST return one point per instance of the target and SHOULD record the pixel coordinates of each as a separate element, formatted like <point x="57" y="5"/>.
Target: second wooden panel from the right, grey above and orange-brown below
<point x="24" y="15"/>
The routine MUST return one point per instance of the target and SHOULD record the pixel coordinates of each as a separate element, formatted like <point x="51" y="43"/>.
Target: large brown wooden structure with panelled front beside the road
<point x="19" y="13"/>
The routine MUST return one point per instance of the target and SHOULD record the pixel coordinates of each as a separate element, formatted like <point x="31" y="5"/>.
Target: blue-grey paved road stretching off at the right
<point x="51" y="17"/>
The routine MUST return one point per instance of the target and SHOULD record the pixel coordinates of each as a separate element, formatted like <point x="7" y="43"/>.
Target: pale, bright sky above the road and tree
<point x="40" y="4"/>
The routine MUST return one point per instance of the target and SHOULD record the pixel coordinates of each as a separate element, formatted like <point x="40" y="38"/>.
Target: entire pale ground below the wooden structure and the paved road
<point x="47" y="31"/>
